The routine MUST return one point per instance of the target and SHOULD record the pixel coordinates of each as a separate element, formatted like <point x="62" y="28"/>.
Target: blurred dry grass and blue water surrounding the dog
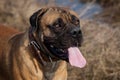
<point x="100" y="23"/>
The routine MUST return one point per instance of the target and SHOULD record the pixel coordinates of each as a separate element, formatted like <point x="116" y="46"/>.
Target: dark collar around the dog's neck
<point x="40" y="48"/>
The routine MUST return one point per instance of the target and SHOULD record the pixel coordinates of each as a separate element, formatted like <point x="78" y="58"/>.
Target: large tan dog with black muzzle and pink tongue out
<point x="41" y="52"/>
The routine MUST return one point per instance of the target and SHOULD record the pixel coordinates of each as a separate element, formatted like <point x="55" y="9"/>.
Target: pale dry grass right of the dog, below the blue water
<point x="102" y="51"/>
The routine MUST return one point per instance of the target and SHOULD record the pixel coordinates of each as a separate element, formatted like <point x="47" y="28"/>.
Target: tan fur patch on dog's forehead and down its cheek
<point x="51" y="15"/>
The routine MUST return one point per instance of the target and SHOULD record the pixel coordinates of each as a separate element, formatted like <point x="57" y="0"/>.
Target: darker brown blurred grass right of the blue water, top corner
<point x="111" y="10"/>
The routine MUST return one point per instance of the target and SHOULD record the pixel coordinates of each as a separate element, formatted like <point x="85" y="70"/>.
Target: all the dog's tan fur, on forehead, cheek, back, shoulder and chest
<point x="17" y="61"/>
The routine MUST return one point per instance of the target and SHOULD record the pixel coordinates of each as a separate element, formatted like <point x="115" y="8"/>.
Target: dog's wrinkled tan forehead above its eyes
<point x="53" y="14"/>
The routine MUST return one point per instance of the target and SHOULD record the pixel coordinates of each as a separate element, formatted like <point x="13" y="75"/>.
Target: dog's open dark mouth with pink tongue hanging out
<point x="70" y="54"/>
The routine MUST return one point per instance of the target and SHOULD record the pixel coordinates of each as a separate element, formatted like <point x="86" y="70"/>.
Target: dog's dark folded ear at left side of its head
<point x="35" y="17"/>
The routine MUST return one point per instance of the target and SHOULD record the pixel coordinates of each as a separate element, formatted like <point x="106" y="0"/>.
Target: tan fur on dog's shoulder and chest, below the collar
<point x="19" y="64"/>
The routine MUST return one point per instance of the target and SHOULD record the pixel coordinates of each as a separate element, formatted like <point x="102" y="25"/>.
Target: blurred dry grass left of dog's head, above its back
<point x="17" y="12"/>
